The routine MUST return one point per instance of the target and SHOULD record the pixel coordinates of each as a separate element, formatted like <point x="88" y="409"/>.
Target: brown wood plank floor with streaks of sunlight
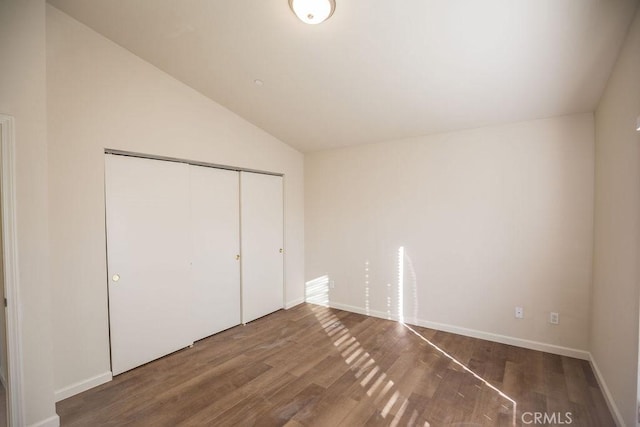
<point x="315" y="366"/>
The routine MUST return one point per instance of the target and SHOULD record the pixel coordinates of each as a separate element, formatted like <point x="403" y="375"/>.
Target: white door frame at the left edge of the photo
<point x="15" y="394"/>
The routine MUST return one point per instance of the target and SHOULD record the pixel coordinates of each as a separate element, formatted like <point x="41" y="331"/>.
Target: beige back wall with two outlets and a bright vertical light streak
<point x="490" y="219"/>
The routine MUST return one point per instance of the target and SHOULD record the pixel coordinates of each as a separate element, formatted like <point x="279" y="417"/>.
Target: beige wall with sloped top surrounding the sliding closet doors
<point x="101" y="96"/>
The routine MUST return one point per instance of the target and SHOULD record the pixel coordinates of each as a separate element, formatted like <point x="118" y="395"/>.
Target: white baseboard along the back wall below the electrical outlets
<point x="503" y="339"/>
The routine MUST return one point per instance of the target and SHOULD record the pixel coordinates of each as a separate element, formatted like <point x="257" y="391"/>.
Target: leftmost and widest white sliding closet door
<point x="147" y="212"/>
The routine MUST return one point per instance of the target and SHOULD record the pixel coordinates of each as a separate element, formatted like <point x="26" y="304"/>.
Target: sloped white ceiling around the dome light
<point x="376" y="70"/>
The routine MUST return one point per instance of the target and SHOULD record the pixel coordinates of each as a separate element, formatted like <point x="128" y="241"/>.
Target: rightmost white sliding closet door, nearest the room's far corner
<point x="262" y="243"/>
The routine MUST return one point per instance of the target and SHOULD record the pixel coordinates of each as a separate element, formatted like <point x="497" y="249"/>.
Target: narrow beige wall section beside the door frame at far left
<point x="23" y="95"/>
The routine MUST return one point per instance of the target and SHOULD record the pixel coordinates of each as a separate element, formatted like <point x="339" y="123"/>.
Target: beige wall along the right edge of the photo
<point x="614" y="326"/>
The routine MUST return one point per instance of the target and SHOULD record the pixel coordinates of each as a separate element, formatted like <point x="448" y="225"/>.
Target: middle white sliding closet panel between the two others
<point x="215" y="273"/>
